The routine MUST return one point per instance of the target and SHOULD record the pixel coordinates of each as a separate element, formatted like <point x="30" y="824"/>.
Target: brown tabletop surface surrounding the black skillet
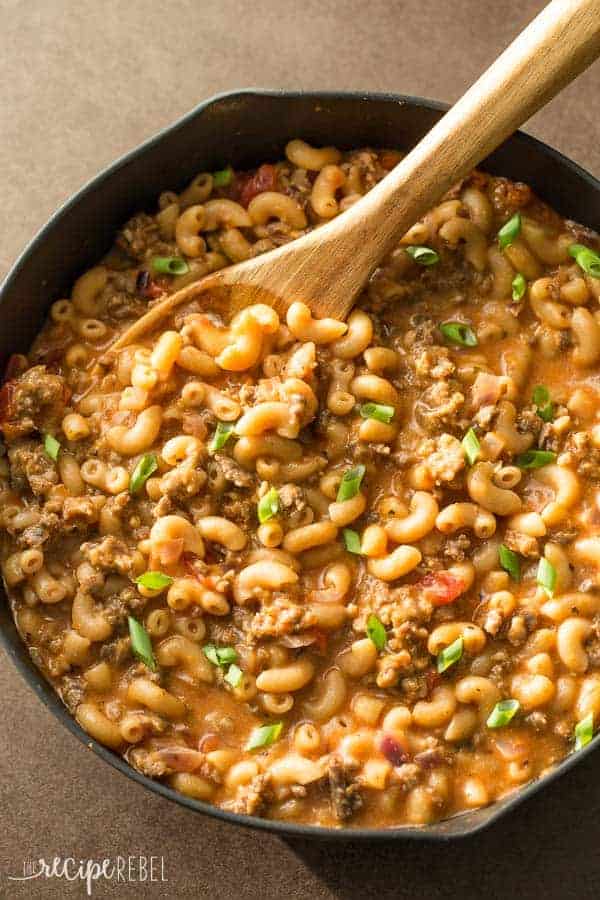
<point x="83" y="82"/>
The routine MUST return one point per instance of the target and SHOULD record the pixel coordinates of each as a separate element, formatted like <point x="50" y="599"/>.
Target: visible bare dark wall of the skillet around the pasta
<point x="247" y="128"/>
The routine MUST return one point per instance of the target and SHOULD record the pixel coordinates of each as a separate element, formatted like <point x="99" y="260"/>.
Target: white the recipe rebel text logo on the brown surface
<point x="119" y="870"/>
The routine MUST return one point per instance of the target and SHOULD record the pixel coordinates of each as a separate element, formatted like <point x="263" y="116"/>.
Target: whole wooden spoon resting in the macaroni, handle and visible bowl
<point x="328" y="267"/>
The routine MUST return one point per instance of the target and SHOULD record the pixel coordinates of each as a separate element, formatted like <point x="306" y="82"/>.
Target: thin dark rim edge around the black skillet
<point x="16" y="649"/>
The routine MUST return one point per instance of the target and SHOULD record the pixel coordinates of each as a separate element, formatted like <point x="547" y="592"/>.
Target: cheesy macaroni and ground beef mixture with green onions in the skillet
<point x="322" y="571"/>
